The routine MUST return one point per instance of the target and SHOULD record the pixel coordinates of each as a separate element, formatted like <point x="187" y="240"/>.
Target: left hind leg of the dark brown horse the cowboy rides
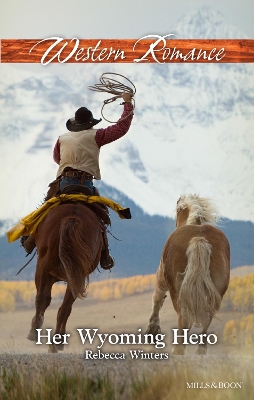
<point x="44" y="283"/>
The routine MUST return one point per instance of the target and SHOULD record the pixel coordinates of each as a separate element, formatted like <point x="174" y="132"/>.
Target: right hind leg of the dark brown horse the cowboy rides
<point x="62" y="317"/>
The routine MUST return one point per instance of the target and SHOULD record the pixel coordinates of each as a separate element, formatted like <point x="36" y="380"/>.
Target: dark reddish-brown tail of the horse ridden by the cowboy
<point x="75" y="256"/>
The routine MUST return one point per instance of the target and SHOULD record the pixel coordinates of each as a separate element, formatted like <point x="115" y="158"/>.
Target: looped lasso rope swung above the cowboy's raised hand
<point x="110" y="85"/>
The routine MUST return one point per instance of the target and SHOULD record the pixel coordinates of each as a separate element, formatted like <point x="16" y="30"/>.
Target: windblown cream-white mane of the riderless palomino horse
<point x="201" y="209"/>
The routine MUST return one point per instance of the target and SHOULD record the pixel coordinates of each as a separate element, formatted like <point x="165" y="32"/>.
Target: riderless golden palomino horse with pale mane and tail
<point x="194" y="268"/>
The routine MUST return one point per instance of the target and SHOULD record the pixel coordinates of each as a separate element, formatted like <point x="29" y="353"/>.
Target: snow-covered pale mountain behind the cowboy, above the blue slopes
<point x="192" y="131"/>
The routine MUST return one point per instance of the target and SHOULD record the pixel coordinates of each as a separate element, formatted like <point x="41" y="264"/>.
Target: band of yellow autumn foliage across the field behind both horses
<point x="239" y="296"/>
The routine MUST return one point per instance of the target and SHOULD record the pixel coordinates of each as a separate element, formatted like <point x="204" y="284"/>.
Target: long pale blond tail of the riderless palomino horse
<point x="199" y="299"/>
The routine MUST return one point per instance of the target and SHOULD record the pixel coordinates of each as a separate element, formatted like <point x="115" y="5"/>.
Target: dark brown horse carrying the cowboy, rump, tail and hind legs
<point x="69" y="243"/>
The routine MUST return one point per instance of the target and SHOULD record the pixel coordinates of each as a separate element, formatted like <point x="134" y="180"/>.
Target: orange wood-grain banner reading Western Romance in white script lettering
<point x="148" y="49"/>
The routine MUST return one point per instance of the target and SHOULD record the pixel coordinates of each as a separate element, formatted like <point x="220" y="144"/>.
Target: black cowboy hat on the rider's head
<point x="83" y="120"/>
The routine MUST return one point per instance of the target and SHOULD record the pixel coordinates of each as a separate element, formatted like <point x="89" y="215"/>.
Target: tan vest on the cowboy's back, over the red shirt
<point x="79" y="150"/>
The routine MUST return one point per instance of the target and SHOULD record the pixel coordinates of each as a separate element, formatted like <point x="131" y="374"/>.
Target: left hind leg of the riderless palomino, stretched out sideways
<point x="159" y="296"/>
